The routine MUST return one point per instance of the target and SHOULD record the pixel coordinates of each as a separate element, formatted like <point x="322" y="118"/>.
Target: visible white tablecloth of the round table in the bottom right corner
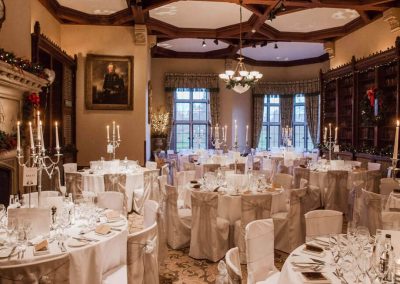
<point x="291" y="275"/>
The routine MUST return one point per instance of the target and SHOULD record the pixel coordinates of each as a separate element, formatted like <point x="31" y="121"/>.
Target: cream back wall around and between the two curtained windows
<point x="233" y="105"/>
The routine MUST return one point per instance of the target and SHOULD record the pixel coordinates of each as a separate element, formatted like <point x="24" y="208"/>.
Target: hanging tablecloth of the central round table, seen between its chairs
<point x="230" y="206"/>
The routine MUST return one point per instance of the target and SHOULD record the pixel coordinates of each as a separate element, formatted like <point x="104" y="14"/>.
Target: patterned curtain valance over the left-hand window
<point x="183" y="80"/>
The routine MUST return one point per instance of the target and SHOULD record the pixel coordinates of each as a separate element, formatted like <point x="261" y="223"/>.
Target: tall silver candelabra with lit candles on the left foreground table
<point x="37" y="155"/>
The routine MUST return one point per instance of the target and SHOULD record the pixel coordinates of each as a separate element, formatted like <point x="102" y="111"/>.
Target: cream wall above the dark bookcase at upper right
<point x="363" y="42"/>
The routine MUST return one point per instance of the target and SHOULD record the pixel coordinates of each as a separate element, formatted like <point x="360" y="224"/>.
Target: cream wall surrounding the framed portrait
<point x="91" y="124"/>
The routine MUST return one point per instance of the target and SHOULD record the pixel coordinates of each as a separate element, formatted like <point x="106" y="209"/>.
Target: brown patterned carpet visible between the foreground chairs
<point x="182" y="269"/>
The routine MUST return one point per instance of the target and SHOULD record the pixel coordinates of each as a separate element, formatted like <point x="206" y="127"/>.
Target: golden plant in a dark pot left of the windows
<point x="159" y="127"/>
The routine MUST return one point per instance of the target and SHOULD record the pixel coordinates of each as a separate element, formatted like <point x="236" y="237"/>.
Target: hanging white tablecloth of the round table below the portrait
<point x="95" y="183"/>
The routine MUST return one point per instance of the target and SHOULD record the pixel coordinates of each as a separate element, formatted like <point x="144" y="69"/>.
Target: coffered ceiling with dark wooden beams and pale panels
<point x="299" y="27"/>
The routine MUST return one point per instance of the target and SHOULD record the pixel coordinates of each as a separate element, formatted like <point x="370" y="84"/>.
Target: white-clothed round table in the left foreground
<point x="90" y="262"/>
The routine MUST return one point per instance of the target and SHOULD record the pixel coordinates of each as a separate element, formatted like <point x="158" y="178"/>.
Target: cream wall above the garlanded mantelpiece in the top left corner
<point x="16" y="29"/>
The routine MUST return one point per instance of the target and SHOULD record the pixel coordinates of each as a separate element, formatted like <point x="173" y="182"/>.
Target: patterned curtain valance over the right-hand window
<point x="308" y="87"/>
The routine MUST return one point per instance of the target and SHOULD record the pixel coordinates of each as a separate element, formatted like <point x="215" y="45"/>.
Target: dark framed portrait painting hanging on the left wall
<point x="109" y="82"/>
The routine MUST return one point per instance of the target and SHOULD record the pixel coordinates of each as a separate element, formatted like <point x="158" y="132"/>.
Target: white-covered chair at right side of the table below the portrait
<point x="150" y="190"/>
